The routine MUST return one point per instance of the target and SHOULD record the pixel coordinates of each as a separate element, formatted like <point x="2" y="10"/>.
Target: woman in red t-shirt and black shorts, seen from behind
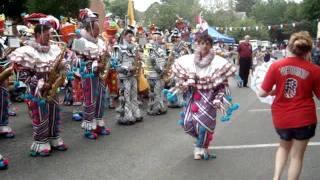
<point x="293" y="81"/>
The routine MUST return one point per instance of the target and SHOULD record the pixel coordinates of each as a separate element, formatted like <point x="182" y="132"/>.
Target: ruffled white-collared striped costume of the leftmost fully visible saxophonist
<point x="32" y="66"/>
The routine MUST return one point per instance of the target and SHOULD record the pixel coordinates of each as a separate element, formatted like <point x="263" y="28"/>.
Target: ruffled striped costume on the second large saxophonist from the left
<point x="89" y="50"/>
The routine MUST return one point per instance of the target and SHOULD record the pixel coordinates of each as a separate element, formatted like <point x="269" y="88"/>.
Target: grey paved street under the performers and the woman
<point x="156" y="149"/>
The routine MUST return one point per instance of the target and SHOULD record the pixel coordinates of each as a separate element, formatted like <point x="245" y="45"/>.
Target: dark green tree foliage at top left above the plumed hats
<point x="57" y="7"/>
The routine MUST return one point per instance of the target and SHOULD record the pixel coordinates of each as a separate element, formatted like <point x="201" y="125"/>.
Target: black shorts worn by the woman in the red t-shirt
<point x="302" y="133"/>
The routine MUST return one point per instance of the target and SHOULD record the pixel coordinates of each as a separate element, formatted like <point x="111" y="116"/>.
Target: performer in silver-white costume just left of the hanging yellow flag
<point x="128" y="56"/>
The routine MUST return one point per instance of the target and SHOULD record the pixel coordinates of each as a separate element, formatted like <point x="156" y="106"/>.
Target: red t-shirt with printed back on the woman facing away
<point x="296" y="80"/>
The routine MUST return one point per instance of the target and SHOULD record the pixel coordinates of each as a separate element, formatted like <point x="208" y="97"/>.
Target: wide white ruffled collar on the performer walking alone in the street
<point x="187" y="73"/>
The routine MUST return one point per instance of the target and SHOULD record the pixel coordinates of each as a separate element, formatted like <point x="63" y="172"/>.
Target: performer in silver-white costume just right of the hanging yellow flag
<point x="155" y="66"/>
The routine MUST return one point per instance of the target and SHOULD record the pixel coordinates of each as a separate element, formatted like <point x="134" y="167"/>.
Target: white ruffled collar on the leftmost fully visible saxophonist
<point x="28" y="57"/>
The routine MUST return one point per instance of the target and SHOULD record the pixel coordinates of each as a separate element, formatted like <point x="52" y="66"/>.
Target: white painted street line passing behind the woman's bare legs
<point x="256" y="146"/>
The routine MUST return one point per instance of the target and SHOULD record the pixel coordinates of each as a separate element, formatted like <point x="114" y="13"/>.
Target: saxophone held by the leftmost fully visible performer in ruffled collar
<point x="55" y="78"/>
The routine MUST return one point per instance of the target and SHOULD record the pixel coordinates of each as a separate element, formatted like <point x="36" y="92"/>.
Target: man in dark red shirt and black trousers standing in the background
<point x="245" y="59"/>
